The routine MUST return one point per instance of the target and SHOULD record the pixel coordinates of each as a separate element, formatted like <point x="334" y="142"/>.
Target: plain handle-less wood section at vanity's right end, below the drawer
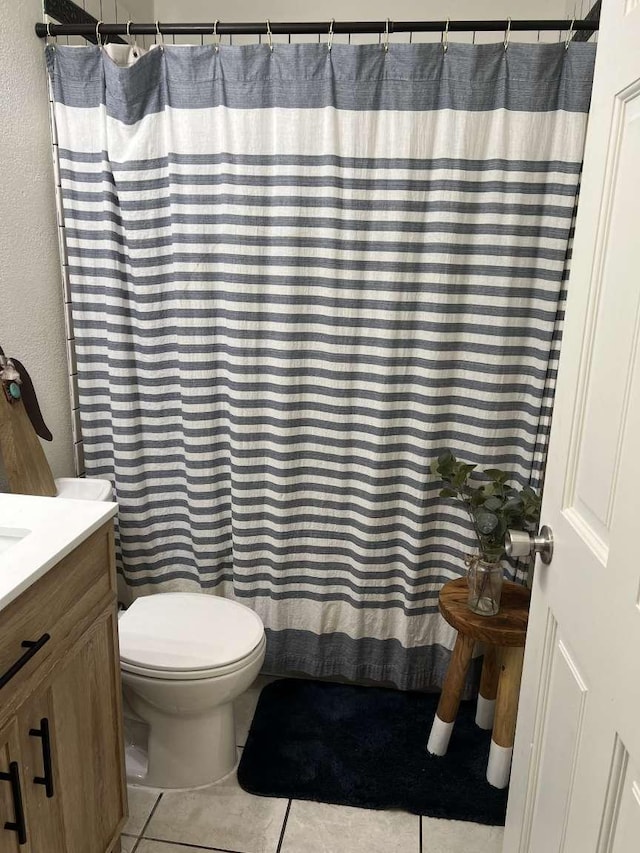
<point x="88" y="735"/>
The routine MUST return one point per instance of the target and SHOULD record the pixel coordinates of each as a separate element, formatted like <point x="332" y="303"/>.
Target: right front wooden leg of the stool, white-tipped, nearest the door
<point x="504" y="727"/>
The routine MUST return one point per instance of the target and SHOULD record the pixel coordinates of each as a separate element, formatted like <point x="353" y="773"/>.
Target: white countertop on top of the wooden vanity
<point x="56" y="526"/>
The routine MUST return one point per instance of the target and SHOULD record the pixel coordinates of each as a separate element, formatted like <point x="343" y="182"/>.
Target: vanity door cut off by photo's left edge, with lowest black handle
<point x="14" y="835"/>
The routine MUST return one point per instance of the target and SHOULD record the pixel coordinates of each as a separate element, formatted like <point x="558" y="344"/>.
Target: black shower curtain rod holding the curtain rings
<point x="88" y="30"/>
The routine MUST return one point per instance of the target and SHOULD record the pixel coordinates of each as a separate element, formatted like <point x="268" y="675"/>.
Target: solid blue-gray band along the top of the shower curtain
<point x="410" y="77"/>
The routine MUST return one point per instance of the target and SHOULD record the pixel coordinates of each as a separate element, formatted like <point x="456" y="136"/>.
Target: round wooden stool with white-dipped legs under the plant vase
<point x="503" y="636"/>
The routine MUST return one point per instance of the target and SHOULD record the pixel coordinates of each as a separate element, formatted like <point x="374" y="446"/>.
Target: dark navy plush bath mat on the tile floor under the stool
<point x="366" y="747"/>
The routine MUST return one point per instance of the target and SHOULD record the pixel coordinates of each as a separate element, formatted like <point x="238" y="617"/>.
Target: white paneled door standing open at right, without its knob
<point x="575" y="783"/>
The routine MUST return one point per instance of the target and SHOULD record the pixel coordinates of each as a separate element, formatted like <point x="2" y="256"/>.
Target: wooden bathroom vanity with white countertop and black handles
<point x="62" y="781"/>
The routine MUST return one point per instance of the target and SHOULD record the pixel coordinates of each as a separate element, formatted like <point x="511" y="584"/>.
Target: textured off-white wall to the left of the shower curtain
<point x="31" y="307"/>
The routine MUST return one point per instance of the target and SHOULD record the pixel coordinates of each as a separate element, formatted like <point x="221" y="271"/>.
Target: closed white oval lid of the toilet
<point x="187" y="631"/>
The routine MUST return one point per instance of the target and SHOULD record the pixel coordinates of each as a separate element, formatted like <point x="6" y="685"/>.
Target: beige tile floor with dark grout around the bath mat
<point x="225" y="818"/>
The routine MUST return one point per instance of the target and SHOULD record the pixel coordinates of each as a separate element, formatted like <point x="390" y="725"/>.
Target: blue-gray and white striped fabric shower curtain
<point x="297" y="276"/>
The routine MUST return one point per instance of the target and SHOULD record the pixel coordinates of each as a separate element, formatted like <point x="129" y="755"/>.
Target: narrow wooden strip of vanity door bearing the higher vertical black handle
<point x="41" y="780"/>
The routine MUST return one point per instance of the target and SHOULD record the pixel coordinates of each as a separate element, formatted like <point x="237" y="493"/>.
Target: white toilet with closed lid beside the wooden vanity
<point x="184" y="658"/>
